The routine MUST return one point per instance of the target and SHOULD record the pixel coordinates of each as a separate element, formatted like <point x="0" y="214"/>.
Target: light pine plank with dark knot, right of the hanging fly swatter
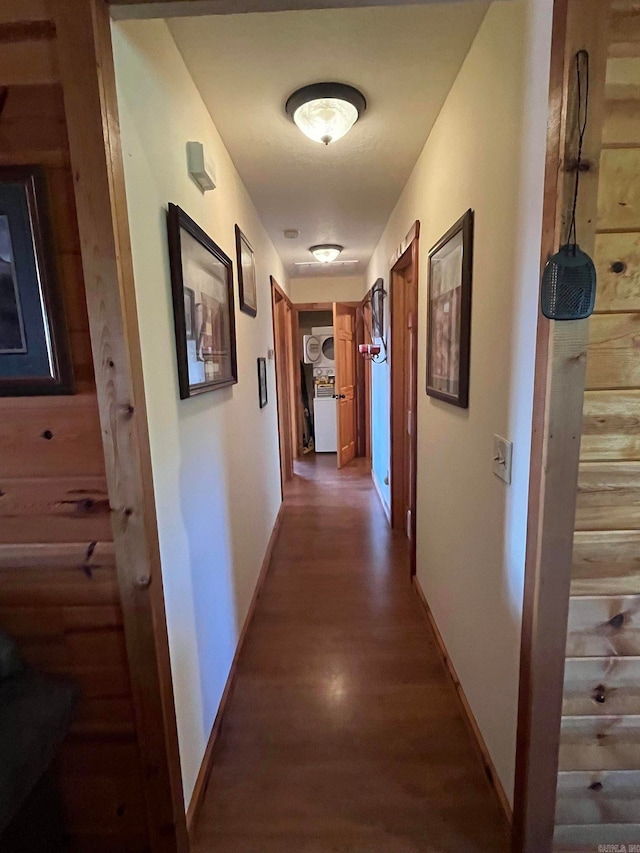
<point x="618" y="287"/>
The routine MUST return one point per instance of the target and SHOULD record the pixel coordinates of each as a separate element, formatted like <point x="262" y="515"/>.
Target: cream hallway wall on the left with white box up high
<point x="215" y="457"/>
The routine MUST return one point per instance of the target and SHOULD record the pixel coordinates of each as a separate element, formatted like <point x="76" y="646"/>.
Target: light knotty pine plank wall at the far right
<point x="598" y="795"/>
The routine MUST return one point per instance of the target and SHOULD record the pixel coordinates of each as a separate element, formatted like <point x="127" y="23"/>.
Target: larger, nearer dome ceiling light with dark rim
<point x="326" y="111"/>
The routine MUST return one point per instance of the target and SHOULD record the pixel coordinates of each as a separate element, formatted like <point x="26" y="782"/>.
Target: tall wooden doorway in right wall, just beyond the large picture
<point x="404" y="389"/>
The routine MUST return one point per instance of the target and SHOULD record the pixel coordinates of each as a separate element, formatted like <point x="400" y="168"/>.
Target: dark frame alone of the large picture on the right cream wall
<point x="464" y="225"/>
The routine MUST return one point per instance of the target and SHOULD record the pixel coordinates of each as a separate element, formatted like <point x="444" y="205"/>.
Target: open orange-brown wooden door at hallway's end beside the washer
<point x="344" y="326"/>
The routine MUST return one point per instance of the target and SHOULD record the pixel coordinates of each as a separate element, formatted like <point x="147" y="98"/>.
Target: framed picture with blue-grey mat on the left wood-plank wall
<point x="34" y="350"/>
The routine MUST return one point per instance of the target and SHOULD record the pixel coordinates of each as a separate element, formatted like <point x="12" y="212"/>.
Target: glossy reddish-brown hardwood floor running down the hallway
<point x="343" y="733"/>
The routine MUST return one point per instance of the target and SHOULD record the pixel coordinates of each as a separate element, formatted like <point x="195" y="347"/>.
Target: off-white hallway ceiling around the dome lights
<point x="404" y="59"/>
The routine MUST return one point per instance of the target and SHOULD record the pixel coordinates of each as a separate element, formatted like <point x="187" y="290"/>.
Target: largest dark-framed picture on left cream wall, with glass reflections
<point x="202" y="287"/>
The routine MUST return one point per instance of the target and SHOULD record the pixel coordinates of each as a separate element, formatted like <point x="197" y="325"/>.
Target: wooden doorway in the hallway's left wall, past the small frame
<point x="282" y="350"/>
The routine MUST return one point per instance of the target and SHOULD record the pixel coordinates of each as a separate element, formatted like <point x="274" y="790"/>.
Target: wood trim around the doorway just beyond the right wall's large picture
<point x="409" y="257"/>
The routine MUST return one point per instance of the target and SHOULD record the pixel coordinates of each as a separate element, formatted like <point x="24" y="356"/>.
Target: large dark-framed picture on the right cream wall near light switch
<point x="449" y="338"/>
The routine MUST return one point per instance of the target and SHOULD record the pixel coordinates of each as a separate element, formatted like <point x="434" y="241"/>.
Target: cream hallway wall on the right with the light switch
<point x="486" y="152"/>
